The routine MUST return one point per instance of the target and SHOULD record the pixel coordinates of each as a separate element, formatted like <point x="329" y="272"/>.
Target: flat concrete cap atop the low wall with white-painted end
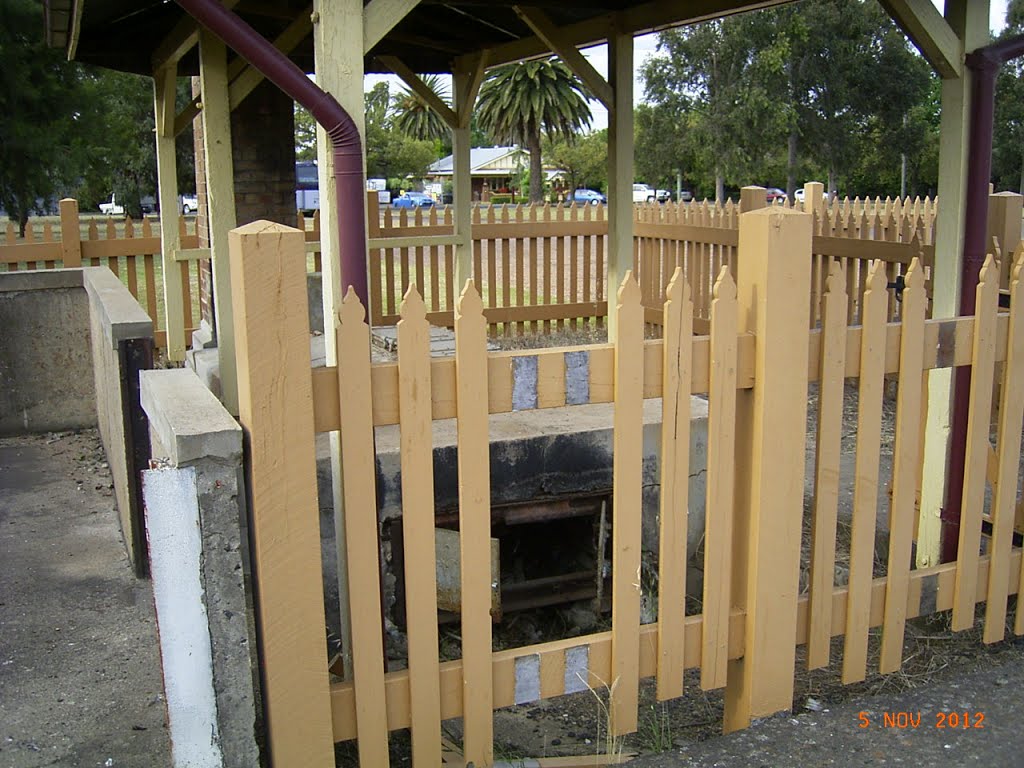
<point x="187" y="419"/>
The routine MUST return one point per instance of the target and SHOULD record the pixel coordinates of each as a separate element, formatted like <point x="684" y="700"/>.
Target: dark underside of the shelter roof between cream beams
<point x="124" y="34"/>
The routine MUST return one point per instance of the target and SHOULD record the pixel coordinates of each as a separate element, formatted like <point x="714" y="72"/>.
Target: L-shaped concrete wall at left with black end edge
<point x="70" y="335"/>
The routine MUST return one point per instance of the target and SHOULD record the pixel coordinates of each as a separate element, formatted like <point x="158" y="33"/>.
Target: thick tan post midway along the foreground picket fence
<point x="775" y="303"/>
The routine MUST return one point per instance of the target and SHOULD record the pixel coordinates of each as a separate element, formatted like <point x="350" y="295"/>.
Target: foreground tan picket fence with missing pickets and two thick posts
<point x="755" y="369"/>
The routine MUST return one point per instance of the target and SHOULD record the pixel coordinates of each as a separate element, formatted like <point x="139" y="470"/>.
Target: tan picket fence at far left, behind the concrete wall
<point x="133" y="254"/>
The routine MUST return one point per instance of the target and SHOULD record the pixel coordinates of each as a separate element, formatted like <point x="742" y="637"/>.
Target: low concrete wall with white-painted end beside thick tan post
<point x="199" y="485"/>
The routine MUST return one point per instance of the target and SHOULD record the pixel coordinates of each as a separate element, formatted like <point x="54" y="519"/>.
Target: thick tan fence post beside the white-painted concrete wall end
<point x="276" y="412"/>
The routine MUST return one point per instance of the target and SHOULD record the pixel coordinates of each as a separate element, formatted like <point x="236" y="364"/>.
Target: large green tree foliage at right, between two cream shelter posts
<point x="828" y="89"/>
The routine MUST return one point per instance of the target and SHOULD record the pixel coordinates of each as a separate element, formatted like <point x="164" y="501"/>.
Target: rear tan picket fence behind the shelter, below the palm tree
<point x="543" y="268"/>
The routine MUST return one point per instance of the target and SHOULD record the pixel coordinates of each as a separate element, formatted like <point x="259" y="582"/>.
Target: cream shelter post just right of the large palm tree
<point x="620" y="163"/>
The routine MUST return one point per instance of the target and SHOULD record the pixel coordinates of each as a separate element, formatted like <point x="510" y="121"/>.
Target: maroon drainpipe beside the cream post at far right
<point x="986" y="64"/>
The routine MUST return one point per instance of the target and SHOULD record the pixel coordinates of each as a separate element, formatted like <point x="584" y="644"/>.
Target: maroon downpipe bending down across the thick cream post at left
<point x="327" y="112"/>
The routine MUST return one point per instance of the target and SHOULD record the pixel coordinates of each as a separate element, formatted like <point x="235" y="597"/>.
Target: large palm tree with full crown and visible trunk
<point x="520" y="102"/>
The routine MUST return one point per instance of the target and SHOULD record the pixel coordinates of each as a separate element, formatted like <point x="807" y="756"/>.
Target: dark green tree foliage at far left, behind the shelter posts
<point x="67" y="130"/>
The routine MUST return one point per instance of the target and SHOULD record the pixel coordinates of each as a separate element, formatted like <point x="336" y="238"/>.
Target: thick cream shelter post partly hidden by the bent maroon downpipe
<point x="338" y="59"/>
